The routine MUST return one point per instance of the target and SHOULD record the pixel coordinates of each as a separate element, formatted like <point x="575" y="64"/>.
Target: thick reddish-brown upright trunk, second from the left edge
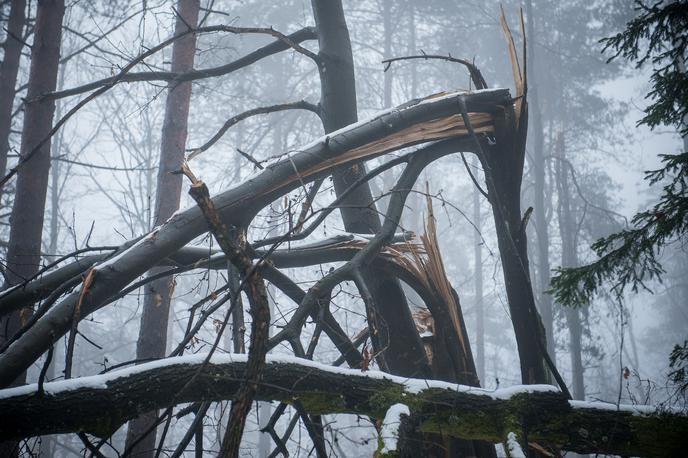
<point x="24" y="250"/>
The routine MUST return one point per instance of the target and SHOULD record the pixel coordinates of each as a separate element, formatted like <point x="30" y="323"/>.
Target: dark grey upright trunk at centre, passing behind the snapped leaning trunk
<point x="403" y="352"/>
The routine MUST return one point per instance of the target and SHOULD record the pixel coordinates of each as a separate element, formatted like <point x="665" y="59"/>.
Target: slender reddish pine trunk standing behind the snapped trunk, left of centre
<point x="153" y="332"/>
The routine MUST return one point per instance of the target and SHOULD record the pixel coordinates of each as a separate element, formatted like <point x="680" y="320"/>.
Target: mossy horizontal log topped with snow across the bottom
<point x="101" y="404"/>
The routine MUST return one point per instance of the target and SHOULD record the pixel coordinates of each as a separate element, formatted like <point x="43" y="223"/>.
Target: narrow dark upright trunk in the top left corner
<point x="8" y="77"/>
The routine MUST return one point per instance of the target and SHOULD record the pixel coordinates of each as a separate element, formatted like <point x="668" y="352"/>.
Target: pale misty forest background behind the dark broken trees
<point x="583" y="177"/>
